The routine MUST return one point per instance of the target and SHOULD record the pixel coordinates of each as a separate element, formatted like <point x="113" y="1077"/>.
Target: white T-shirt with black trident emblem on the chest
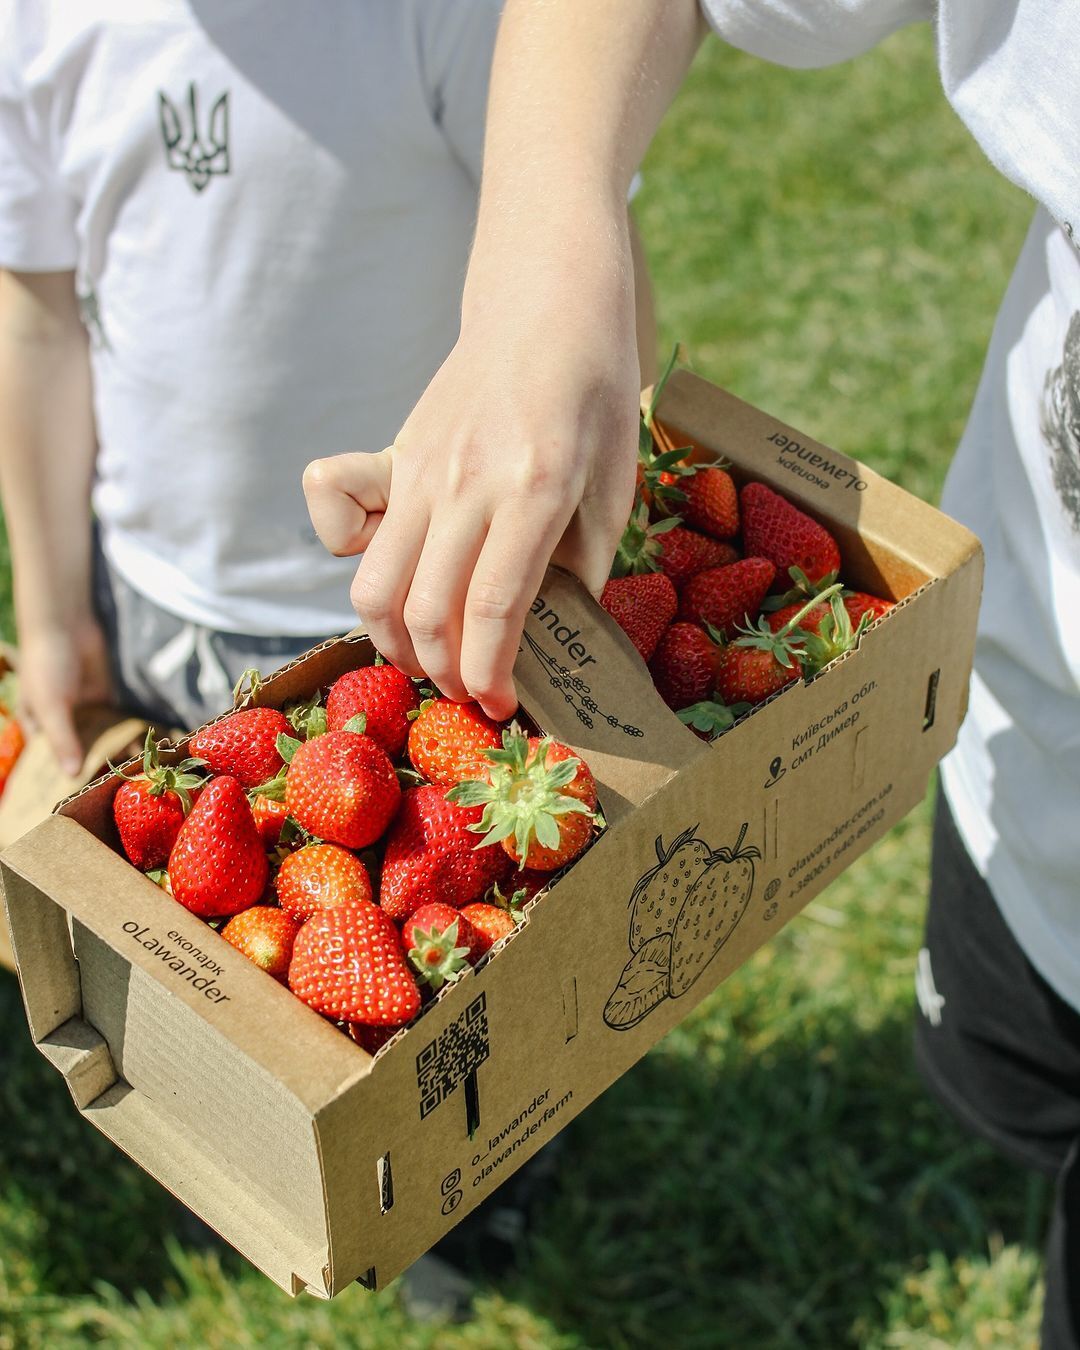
<point x="269" y="209"/>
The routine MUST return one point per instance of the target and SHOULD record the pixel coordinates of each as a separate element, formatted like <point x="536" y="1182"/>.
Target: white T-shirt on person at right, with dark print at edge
<point x="1012" y="70"/>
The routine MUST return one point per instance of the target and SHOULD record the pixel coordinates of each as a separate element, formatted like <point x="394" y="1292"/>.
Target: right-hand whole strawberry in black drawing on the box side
<point x="716" y="904"/>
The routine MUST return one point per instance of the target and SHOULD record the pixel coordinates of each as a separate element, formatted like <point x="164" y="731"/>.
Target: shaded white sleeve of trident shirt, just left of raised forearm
<point x="458" y="40"/>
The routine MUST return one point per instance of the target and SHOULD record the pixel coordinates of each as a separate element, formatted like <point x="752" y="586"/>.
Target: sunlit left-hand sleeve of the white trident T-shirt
<point x="37" y="214"/>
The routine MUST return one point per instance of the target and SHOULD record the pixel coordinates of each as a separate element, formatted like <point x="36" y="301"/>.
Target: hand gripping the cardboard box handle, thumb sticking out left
<point x="520" y="453"/>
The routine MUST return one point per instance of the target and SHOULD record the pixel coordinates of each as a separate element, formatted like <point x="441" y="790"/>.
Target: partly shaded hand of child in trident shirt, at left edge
<point x="61" y="669"/>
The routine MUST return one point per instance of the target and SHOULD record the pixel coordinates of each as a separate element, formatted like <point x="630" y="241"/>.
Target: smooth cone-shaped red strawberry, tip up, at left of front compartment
<point x="218" y="865"/>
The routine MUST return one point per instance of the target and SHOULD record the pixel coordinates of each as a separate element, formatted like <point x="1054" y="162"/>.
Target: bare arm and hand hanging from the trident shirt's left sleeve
<point x="47" y="465"/>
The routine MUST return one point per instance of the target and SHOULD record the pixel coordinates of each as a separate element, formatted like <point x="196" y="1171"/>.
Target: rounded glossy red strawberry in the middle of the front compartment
<point x="341" y="788"/>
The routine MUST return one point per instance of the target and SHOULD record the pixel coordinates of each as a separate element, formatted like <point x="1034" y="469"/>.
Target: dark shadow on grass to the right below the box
<point x="765" y="1202"/>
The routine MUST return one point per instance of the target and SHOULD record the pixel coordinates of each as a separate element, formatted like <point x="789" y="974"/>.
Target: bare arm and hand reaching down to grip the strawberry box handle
<point x="523" y="448"/>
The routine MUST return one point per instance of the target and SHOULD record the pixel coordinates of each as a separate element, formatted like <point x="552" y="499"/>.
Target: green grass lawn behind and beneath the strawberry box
<point x="831" y="246"/>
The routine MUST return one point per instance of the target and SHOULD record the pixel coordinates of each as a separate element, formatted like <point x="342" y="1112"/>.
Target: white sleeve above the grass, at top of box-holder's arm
<point x="812" y="33"/>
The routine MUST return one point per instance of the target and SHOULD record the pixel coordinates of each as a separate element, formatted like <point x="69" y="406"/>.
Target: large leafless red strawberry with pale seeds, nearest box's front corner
<point x="349" y="965"/>
